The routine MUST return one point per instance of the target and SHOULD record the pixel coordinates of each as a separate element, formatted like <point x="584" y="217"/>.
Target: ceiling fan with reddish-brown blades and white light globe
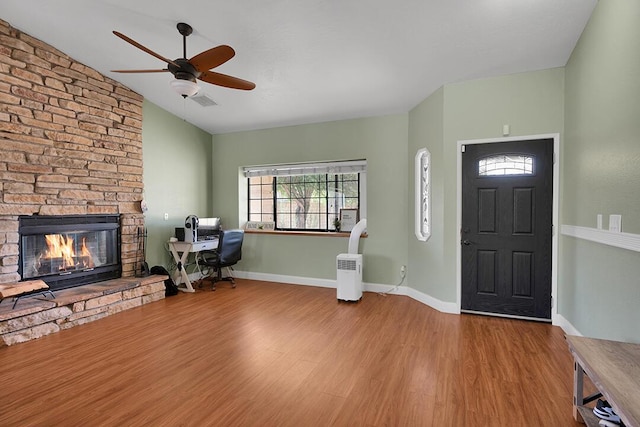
<point x="186" y="71"/>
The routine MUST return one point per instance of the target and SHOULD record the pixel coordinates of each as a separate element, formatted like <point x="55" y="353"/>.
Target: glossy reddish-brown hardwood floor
<point x="268" y="354"/>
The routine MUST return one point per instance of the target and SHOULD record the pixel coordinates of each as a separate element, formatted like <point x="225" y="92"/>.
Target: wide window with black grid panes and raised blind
<point x="305" y="196"/>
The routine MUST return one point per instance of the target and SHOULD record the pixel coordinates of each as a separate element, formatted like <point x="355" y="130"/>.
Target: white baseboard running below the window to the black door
<point x="445" y="307"/>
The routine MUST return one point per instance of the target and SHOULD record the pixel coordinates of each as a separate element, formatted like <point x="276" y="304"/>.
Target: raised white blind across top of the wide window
<point x="335" y="167"/>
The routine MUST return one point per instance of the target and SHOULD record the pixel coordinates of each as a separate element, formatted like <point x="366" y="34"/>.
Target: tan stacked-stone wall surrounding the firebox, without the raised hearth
<point x="70" y="143"/>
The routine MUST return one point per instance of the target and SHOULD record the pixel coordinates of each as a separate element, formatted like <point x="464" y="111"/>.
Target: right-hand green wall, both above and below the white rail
<point x="599" y="286"/>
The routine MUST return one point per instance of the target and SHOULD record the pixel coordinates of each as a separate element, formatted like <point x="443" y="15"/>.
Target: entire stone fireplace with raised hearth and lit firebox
<point x="71" y="151"/>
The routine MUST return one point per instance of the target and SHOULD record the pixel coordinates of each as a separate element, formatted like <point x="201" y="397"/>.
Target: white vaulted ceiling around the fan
<point x="312" y="61"/>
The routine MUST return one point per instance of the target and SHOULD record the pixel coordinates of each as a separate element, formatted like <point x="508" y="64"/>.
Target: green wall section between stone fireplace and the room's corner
<point x="177" y="177"/>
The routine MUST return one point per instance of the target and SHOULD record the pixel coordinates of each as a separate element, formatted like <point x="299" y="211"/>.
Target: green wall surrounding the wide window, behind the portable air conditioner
<point x="382" y="141"/>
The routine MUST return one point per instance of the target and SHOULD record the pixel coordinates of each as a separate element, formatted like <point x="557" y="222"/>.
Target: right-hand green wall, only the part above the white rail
<point x="603" y="109"/>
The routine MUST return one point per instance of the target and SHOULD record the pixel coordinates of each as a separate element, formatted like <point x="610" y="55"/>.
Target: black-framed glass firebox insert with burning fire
<point x="70" y="250"/>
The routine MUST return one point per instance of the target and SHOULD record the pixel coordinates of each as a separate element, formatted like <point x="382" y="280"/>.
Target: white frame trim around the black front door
<point x="555" y="218"/>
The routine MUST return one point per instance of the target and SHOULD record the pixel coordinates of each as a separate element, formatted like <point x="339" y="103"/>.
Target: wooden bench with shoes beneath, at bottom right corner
<point x="614" y="368"/>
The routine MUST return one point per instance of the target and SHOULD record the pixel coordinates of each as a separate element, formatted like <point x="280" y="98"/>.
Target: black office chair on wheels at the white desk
<point x="229" y="252"/>
